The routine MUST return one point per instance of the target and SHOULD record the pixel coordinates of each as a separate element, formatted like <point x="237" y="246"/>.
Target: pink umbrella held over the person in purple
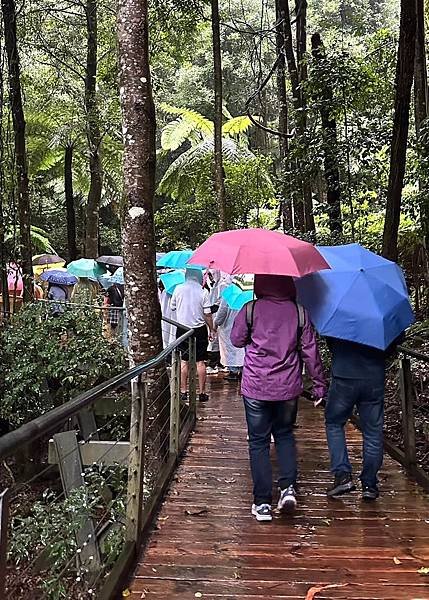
<point x="258" y="251"/>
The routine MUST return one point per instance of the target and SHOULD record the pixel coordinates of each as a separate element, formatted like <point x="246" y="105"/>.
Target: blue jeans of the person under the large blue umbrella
<point x="368" y="397"/>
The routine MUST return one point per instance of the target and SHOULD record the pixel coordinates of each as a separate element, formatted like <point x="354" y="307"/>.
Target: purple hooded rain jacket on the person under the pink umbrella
<point x="272" y="366"/>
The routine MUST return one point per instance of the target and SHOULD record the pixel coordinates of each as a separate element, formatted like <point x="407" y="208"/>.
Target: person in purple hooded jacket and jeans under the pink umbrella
<point x="278" y="337"/>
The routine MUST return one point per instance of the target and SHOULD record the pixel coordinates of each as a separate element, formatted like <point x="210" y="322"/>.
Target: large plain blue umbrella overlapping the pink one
<point x="363" y="298"/>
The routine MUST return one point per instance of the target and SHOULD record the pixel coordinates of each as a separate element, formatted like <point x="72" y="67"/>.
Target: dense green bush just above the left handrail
<point x="47" y="360"/>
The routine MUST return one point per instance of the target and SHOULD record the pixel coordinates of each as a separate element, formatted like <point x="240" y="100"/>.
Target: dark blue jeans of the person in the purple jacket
<point x="263" y="419"/>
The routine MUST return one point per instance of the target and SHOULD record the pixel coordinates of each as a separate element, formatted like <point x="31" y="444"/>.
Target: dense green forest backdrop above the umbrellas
<point x="331" y="183"/>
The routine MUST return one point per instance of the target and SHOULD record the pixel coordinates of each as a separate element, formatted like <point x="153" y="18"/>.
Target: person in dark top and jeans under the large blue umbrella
<point x="357" y="380"/>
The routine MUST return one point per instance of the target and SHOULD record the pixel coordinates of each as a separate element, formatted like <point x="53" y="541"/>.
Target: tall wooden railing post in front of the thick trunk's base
<point x="136" y="462"/>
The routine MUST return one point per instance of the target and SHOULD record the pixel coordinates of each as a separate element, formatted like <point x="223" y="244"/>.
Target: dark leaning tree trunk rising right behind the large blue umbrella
<point x="398" y="153"/>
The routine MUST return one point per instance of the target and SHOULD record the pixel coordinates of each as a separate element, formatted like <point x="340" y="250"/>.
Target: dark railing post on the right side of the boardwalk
<point x="408" y="423"/>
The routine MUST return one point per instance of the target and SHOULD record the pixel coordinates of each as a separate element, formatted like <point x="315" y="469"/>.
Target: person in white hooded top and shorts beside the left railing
<point x="190" y="304"/>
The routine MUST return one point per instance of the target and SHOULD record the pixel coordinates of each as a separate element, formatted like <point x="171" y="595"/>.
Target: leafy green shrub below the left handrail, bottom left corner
<point x="48" y="531"/>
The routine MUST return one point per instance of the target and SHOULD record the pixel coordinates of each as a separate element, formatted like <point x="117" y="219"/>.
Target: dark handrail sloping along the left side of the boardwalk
<point x="44" y="424"/>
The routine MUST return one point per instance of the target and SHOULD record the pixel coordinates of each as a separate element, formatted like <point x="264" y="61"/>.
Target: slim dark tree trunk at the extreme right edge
<point x="421" y="104"/>
